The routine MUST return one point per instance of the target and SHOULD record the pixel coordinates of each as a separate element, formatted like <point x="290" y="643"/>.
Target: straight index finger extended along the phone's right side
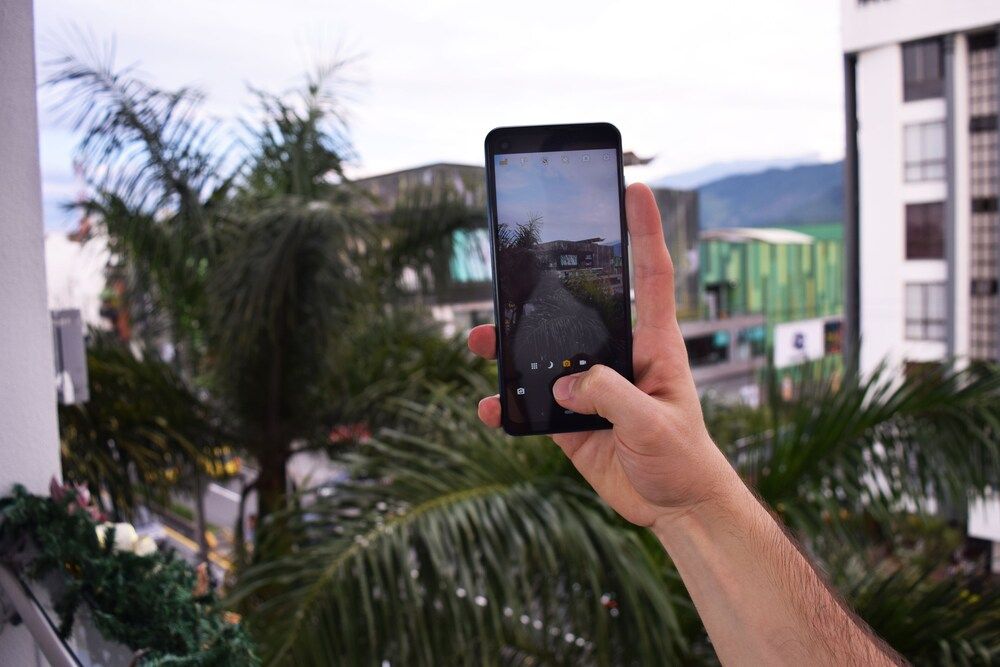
<point x="654" y="271"/>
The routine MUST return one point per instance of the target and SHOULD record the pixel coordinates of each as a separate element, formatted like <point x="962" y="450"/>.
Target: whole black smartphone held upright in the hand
<point x="559" y="248"/>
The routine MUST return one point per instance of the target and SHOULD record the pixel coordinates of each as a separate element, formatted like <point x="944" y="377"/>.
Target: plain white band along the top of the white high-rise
<point x="881" y="22"/>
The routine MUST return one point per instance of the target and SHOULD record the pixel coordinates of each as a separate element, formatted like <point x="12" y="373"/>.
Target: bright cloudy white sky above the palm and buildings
<point x="690" y="83"/>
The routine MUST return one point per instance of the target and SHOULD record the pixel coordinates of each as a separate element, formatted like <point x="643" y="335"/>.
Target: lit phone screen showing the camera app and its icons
<point x="560" y="268"/>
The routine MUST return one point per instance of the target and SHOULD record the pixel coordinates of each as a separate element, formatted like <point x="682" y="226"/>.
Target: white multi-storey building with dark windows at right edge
<point x="922" y="83"/>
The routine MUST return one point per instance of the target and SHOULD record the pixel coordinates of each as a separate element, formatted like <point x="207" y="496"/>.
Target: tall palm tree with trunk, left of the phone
<point x="259" y="263"/>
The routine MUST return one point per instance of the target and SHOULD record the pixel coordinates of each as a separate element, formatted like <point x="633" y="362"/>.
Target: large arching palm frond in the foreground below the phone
<point x="455" y="545"/>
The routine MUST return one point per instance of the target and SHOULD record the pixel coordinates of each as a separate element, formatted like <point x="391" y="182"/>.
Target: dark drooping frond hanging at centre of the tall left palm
<point x="288" y="280"/>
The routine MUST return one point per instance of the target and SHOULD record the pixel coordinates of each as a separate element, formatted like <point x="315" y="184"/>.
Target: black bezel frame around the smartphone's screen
<point x="546" y="138"/>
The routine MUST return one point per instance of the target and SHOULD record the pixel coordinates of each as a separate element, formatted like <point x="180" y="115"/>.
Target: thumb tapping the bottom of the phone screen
<point x="603" y="391"/>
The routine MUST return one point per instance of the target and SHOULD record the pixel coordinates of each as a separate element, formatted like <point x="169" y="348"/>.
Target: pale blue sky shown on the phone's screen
<point x="577" y="198"/>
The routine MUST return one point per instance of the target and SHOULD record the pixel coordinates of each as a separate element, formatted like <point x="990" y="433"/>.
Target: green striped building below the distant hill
<point x="784" y="274"/>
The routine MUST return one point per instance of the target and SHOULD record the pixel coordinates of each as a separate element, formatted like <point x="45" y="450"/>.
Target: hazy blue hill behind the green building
<point x="801" y="195"/>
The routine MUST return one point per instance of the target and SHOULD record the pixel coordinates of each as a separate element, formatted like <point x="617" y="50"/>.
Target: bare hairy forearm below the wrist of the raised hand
<point x="759" y="598"/>
